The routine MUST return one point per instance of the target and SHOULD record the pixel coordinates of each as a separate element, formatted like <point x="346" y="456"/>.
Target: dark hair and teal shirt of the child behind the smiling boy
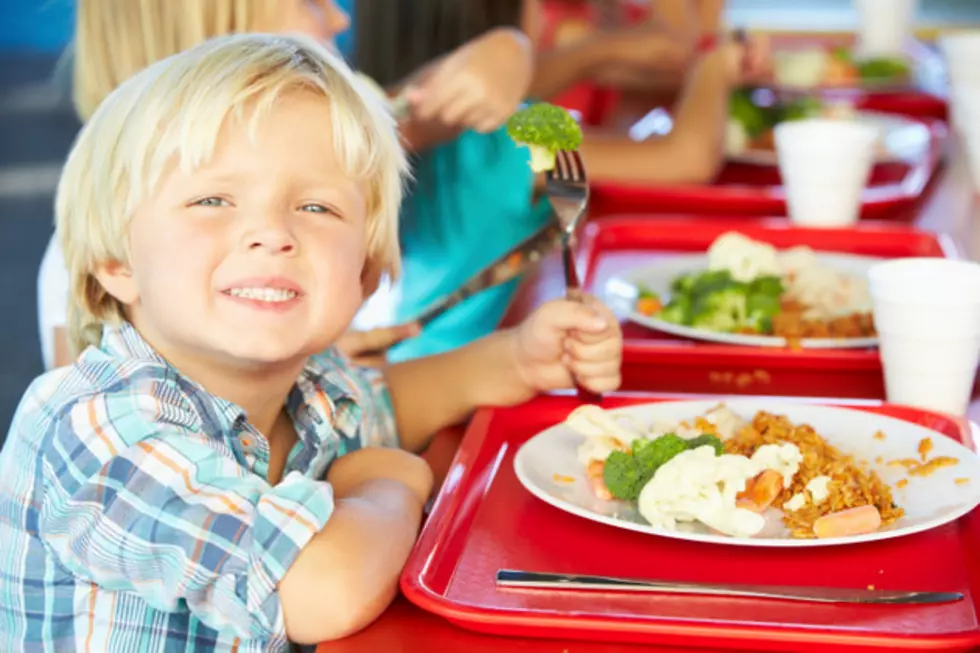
<point x="471" y="197"/>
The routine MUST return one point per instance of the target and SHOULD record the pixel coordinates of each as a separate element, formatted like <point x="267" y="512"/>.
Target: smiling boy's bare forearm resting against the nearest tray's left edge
<point x="348" y="573"/>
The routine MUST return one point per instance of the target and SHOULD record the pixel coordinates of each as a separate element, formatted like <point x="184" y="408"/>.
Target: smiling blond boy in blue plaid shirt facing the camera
<point x="200" y="480"/>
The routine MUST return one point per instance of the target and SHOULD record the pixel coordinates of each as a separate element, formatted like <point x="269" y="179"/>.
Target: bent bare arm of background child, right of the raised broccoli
<point x="691" y="153"/>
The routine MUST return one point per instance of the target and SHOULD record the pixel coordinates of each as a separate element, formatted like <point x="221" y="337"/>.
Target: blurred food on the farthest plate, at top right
<point x="837" y="67"/>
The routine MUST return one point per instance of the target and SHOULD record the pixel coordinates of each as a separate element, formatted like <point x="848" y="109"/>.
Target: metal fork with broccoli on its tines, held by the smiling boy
<point x="567" y="187"/>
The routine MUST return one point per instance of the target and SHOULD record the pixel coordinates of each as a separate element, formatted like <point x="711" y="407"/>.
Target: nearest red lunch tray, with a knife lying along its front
<point x="484" y="520"/>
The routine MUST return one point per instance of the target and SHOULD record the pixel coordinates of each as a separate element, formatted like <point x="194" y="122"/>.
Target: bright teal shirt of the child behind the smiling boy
<point x="471" y="203"/>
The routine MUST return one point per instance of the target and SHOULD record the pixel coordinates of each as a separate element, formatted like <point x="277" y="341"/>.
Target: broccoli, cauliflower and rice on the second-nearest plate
<point x="751" y="288"/>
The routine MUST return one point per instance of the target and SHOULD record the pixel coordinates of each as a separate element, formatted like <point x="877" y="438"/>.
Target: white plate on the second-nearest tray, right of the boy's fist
<point x="621" y="293"/>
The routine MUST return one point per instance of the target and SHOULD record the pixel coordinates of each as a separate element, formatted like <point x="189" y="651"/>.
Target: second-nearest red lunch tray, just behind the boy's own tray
<point x="659" y="362"/>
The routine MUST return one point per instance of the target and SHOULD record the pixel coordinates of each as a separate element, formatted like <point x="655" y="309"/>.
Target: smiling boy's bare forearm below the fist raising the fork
<point x="434" y="392"/>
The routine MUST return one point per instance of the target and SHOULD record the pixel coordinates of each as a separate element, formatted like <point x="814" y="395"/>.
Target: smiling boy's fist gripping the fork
<point x="565" y="342"/>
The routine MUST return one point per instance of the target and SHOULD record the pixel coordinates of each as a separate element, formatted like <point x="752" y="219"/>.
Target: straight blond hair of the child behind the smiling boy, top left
<point x="115" y="39"/>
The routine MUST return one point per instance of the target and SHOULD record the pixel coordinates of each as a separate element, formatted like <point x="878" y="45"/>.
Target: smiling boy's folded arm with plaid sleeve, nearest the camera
<point x="222" y="541"/>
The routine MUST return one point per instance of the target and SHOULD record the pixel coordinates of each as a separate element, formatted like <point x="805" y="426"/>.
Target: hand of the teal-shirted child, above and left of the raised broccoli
<point x="479" y="85"/>
